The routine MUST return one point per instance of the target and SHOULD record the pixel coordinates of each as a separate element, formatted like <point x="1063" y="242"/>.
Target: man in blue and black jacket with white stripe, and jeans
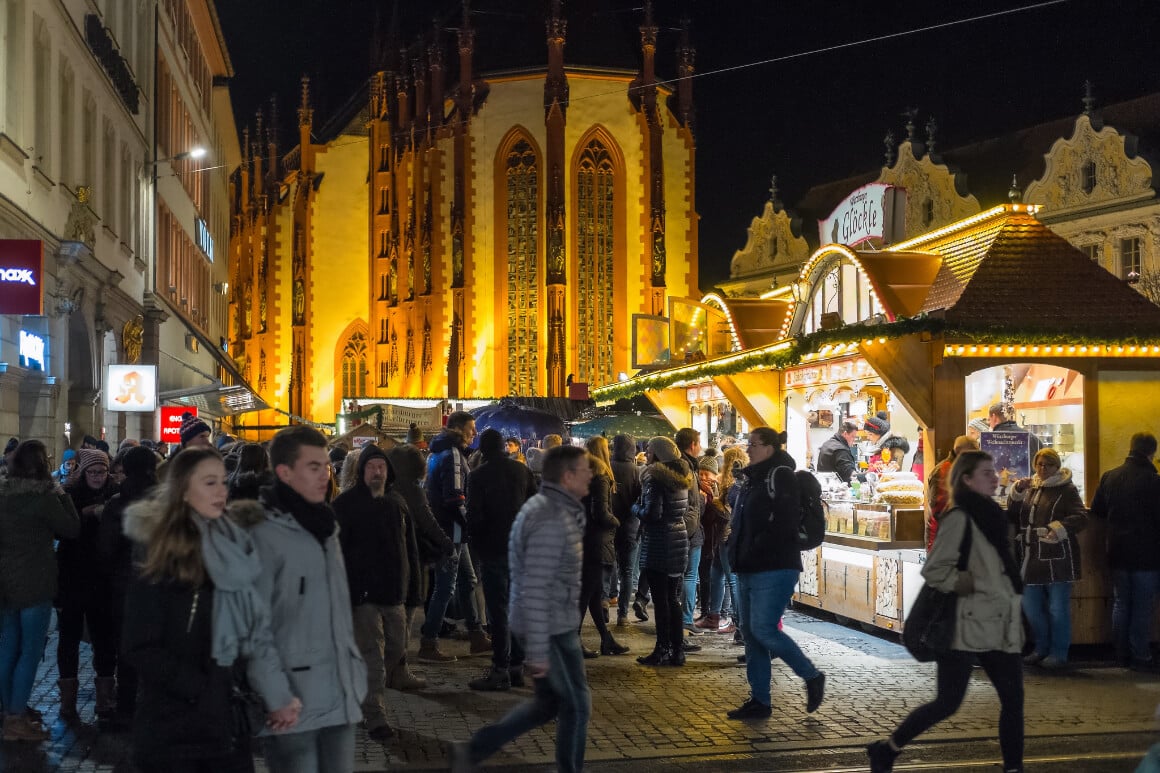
<point x="447" y="486"/>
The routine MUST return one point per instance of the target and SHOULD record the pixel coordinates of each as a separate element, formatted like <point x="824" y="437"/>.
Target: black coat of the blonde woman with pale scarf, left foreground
<point x="184" y="699"/>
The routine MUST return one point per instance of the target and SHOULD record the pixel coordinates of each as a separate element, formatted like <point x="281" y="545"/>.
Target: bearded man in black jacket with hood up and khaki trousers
<point x="382" y="559"/>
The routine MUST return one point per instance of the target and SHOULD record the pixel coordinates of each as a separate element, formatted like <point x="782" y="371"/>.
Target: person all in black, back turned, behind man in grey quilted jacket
<point x="497" y="490"/>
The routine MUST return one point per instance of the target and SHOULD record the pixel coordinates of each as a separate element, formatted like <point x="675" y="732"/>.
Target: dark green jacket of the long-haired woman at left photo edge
<point x="33" y="515"/>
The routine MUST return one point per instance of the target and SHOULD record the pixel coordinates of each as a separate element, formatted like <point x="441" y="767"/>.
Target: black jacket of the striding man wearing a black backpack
<point x="765" y="530"/>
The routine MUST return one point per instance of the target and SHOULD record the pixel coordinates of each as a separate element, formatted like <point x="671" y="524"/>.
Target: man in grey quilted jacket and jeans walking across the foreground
<point x="545" y="557"/>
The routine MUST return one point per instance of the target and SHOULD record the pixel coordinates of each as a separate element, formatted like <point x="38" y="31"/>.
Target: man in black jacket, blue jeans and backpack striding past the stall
<point x="765" y="555"/>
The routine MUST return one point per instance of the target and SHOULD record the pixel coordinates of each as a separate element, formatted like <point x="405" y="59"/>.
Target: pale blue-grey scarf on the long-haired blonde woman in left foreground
<point x="240" y="615"/>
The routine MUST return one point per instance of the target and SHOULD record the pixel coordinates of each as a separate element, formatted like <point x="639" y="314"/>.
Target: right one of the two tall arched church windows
<point x="594" y="261"/>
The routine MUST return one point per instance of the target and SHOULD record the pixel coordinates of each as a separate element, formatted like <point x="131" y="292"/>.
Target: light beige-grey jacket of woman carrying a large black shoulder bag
<point x="990" y="618"/>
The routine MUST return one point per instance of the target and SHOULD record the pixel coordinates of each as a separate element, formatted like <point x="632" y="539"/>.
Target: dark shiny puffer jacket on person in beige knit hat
<point x="663" y="508"/>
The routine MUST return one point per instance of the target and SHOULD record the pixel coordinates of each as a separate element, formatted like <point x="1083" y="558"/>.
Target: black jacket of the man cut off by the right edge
<point x="1129" y="500"/>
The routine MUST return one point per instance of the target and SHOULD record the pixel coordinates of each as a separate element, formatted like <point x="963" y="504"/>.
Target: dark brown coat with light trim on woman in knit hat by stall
<point x="1055" y="505"/>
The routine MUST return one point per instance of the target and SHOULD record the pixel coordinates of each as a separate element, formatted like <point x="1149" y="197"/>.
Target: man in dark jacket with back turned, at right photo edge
<point x="1129" y="500"/>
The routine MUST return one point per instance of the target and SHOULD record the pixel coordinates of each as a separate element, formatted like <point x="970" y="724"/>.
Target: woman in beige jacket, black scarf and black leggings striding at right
<point x="989" y="626"/>
